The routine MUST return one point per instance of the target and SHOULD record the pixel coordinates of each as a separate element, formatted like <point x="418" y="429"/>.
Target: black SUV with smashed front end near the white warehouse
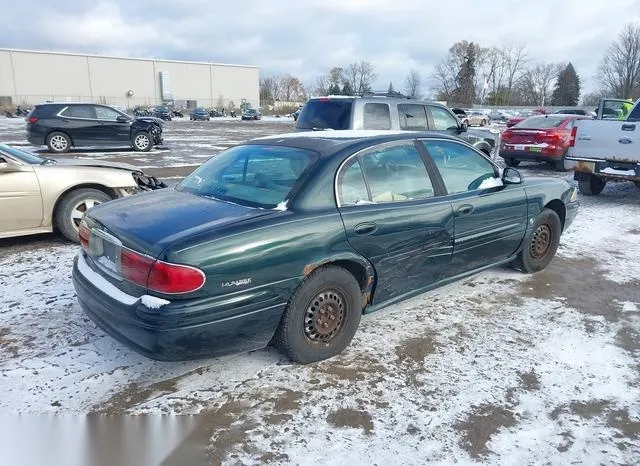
<point x="61" y="126"/>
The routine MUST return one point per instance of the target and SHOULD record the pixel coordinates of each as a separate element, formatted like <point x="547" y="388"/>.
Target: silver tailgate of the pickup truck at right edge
<point x="607" y="139"/>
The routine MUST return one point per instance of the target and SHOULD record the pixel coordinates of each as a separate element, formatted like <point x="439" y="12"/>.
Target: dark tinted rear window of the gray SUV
<point x="325" y="114"/>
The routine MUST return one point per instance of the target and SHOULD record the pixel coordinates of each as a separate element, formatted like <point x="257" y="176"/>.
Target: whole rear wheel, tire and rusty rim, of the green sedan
<point x="321" y="317"/>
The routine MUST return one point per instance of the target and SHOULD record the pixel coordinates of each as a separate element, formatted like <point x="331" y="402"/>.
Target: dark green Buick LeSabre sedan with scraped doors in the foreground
<point x="290" y="238"/>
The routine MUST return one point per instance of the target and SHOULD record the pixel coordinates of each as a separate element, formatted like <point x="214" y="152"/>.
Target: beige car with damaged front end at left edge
<point x="40" y="195"/>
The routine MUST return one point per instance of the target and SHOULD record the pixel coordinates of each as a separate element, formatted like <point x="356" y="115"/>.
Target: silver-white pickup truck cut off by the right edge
<point x="607" y="148"/>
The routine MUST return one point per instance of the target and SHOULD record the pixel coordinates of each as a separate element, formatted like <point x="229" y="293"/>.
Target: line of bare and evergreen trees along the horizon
<point x="472" y="74"/>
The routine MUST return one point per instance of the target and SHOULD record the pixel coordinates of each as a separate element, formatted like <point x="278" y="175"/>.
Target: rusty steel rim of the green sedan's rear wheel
<point x="324" y="317"/>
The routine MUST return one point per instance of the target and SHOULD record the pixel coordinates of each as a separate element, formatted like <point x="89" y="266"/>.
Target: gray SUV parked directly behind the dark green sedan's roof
<point x="385" y="113"/>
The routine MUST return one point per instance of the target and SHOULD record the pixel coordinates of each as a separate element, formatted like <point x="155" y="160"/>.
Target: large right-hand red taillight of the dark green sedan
<point x="159" y="276"/>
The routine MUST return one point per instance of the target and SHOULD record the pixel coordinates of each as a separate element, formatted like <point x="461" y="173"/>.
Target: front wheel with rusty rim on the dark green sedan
<point x="541" y="244"/>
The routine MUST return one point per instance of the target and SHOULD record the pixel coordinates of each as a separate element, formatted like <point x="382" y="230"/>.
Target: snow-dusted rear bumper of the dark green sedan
<point x="182" y="329"/>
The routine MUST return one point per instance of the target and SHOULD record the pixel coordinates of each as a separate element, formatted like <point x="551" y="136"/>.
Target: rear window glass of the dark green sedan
<point x="254" y="175"/>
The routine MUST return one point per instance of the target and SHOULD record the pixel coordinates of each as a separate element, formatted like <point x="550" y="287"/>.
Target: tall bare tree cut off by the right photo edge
<point x="620" y="68"/>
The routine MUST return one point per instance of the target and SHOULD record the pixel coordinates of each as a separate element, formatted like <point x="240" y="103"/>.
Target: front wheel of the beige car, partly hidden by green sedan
<point x="72" y="208"/>
